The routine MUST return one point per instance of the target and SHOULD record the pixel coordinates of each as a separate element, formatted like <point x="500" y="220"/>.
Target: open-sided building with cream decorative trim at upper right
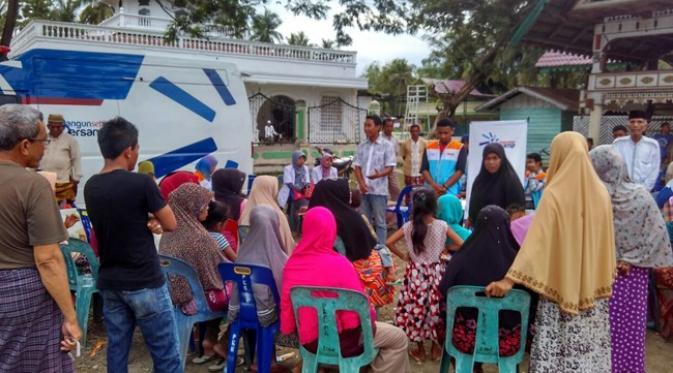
<point x="626" y="44"/>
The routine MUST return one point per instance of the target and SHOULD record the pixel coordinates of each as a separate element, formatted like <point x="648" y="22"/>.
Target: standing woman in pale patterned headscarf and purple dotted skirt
<point x="642" y="243"/>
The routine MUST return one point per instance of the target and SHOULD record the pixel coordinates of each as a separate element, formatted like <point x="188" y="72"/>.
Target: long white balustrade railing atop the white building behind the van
<point x="46" y="30"/>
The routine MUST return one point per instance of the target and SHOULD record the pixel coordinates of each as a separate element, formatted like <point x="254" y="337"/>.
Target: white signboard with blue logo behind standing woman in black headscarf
<point x="511" y="134"/>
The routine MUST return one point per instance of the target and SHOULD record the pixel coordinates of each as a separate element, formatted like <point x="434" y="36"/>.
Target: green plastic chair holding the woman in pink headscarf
<point x="329" y="349"/>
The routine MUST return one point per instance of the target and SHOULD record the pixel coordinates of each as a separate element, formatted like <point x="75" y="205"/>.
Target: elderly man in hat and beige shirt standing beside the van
<point x="62" y="157"/>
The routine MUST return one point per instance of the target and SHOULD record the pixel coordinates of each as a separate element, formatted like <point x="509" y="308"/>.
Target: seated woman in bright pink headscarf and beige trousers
<point x="307" y="266"/>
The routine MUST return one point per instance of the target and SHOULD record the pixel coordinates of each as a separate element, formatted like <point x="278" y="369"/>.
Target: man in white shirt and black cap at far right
<point x="641" y="153"/>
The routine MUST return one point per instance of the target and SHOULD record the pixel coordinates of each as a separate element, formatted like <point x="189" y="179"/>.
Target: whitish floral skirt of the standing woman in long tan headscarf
<point x="565" y="343"/>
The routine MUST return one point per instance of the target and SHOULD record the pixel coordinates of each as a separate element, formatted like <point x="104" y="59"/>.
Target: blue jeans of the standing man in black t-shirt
<point x="152" y="311"/>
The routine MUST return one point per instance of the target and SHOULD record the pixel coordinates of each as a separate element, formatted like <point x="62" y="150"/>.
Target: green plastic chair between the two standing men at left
<point x="83" y="285"/>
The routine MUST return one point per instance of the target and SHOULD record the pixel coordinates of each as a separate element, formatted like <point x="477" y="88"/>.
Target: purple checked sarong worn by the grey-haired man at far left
<point x="30" y="325"/>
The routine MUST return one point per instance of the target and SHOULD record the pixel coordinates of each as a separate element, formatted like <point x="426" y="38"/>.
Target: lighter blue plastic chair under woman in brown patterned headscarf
<point x="176" y="267"/>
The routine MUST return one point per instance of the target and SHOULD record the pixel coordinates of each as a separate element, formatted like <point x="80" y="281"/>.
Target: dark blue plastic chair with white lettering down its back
<point x="244" y="276"/>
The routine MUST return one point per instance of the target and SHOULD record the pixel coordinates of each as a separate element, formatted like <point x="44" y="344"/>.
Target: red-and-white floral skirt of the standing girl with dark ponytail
<point x="418" y="306"/>
